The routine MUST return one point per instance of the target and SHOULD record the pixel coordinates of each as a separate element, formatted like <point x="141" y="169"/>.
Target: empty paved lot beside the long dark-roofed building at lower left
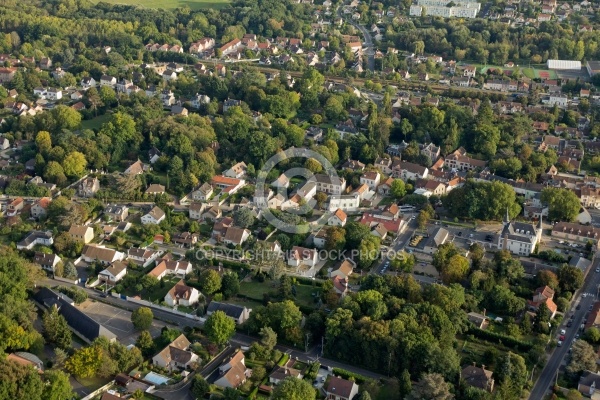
<point x="116" y="320"/>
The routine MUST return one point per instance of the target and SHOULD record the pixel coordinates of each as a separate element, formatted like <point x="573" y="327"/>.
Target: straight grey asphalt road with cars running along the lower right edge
<point x="586" y="298"/>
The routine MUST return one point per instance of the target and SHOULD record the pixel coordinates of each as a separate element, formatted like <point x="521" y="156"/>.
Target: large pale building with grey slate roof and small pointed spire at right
<point x="519" y="238"/>
